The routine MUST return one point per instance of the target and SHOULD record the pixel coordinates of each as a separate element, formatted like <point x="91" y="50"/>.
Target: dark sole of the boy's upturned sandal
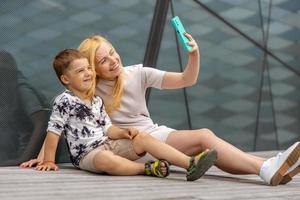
<point x="203" y="165"/>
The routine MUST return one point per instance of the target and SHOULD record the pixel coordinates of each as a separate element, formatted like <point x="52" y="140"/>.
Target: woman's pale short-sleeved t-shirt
<point x="133" y="111"/>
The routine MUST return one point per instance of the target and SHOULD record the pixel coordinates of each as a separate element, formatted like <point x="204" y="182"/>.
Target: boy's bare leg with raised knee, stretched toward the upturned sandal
<point x="145" y="143"/>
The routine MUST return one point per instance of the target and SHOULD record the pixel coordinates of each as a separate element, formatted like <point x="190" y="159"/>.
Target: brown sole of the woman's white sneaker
<point x="291" y="159"/>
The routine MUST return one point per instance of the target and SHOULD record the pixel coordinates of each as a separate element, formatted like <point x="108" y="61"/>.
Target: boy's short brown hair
<point x="63" y="60"/>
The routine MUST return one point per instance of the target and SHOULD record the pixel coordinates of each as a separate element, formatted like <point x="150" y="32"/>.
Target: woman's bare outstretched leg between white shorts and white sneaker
<point x="230" y="158"/>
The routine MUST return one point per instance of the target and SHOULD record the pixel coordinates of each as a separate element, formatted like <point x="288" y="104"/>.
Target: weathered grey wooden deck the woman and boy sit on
<point x="69" y="183"/>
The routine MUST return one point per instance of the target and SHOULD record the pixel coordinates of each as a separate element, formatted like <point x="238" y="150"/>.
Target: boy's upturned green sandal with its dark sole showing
<point x="200" y="164"/>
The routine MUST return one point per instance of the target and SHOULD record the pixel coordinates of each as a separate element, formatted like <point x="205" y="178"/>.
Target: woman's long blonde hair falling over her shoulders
<point x="88" y="48"/>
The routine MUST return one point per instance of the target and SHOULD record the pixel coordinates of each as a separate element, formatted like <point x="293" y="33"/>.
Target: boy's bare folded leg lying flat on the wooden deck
<point x="115" y="165"/>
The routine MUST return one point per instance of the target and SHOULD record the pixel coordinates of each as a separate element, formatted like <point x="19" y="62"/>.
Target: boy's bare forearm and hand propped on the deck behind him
<point x="49" y="153"/>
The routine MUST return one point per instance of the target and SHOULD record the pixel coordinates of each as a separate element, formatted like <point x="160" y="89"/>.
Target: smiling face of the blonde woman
<point x="108" y="62"/>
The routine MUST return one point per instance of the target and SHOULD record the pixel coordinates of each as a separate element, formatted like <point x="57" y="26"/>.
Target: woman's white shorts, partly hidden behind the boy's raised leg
<point x="159" y="132"/>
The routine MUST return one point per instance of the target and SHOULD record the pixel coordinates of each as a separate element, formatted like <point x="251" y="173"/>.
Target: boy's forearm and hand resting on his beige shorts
<point x="115" y="133"/>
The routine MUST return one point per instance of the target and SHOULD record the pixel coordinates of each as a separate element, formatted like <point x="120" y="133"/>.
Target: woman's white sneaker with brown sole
<point x="274" y="169"/>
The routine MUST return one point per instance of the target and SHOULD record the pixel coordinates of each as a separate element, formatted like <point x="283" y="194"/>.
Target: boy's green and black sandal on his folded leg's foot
<point x="153" y="168"/>
